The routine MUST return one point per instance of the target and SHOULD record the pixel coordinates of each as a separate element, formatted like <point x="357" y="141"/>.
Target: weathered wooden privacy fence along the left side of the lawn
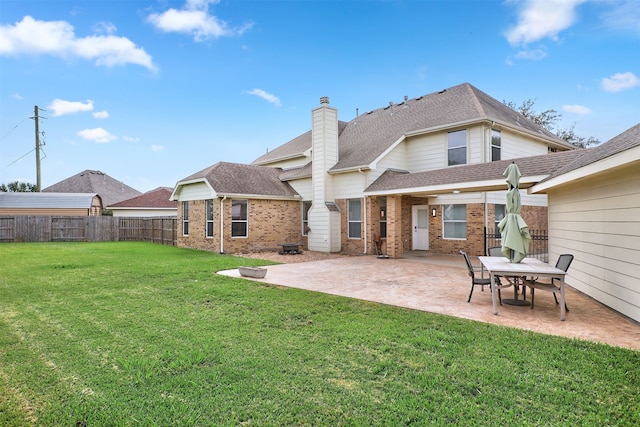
<point x="26" y="228"/>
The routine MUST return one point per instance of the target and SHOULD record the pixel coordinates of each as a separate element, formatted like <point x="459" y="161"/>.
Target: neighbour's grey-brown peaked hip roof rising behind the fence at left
<point x="110" y="190"/>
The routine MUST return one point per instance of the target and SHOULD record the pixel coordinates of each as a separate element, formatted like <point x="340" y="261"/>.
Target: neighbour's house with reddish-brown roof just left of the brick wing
<point x="153" y="203"/>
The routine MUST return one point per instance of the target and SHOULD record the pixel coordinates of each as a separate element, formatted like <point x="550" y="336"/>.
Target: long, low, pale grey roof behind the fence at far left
<point x="47" y="200"/>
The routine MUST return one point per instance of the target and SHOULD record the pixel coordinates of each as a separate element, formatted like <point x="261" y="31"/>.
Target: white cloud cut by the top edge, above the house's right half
<point x="539" y="19"/>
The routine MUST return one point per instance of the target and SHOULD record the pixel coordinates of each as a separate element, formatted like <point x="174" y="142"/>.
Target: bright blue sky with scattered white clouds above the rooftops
<point x="150" y="91"/>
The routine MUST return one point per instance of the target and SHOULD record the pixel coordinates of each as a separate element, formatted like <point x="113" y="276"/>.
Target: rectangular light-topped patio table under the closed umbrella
<point x="532" y="267"/>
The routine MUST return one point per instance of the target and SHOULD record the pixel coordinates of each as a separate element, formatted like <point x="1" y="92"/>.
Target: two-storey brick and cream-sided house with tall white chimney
<point x="397" y="175"/>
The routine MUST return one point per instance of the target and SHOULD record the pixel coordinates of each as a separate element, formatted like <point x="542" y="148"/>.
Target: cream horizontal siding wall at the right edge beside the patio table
<point x="598" y="221"/>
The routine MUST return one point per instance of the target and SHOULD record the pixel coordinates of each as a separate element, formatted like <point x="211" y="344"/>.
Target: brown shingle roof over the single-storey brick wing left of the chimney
<point x="242" y="180"/>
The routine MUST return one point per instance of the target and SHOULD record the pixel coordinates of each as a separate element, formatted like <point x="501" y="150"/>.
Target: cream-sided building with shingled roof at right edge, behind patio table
<point x="594" y="214"/>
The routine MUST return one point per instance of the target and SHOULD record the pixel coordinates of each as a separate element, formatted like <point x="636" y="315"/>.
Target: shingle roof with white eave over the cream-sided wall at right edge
<point x="622" y="149"/>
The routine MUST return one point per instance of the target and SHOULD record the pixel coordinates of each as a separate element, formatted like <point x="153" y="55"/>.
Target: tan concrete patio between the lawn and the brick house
<point x="440" y="284"/>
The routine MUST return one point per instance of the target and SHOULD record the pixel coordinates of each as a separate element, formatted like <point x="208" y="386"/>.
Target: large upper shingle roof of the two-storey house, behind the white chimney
<point x="362" y="140"/>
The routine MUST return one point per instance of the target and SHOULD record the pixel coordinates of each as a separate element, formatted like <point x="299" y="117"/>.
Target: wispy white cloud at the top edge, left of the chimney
<point x="196" y="20"/>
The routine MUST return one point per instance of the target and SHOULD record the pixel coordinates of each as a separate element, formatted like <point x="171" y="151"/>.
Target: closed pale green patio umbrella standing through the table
<point x="513" y="229"/>
